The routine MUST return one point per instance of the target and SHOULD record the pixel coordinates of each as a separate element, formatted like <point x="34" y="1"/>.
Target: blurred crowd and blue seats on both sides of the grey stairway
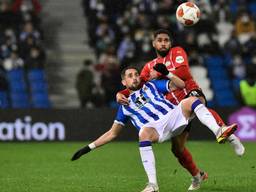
<point x="221" y="48"/>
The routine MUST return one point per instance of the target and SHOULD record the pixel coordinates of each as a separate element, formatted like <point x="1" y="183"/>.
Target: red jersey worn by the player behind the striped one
<point x="177" y="63"/>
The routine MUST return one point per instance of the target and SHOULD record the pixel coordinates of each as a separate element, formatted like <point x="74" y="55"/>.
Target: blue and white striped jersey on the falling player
<point x="146" y="104"/>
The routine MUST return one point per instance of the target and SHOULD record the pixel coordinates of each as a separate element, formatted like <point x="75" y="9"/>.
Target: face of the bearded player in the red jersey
<point x="162" y="44"/>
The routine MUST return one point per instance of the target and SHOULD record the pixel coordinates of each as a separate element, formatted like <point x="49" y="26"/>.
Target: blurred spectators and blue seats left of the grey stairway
<point x="22" y="56"/>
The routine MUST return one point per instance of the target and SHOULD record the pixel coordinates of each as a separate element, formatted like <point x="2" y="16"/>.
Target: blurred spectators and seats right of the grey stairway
<point x="221" y="47"/>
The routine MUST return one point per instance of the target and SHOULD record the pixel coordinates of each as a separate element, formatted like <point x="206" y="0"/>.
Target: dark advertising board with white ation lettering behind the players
<point x="85" y="125"/>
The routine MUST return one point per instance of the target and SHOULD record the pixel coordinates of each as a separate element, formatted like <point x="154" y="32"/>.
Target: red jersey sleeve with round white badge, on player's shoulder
<point x="179" y="57"/>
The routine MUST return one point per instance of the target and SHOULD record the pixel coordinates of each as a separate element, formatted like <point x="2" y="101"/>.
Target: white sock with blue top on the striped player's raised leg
<point x="204" y="116"/>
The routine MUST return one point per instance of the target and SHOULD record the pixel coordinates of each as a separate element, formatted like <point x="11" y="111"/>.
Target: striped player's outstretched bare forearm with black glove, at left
<point x="102" y="140"/>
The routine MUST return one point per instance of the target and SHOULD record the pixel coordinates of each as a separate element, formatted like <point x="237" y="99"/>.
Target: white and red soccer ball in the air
<point x="188" y="13"/>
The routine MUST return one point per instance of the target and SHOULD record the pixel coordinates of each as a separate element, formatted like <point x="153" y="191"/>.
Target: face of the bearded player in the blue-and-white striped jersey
<point x="131" y="79"/>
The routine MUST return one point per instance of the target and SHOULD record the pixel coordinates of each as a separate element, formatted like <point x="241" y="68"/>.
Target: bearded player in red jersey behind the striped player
<point x="175" y="60"/>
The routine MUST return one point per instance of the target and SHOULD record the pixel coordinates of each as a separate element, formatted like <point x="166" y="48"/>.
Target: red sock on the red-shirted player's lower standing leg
<point x="186" y="160"/>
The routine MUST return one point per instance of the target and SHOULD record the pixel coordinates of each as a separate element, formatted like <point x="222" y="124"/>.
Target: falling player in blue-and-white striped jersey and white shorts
<point x="156" y="119"/>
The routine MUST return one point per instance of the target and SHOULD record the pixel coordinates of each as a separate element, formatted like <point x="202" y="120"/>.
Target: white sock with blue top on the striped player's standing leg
<point x="148" y="160"/>
